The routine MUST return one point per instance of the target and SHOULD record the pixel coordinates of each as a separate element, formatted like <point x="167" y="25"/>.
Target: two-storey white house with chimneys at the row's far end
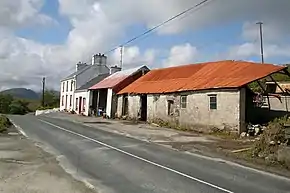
<point x="83" y="74"/>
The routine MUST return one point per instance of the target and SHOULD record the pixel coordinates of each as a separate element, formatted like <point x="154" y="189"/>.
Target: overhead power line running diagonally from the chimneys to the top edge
<point x="158" y="26"/>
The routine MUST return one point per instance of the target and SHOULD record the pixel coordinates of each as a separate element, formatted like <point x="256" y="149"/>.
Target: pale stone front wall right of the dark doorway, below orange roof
<point x="197" y="111"/>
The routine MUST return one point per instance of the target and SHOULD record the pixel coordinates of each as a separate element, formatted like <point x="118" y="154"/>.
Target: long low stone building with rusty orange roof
<point x="213" y="94"/>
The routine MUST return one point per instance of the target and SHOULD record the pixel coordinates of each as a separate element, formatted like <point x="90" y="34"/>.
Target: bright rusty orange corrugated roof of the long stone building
<point x="221" y="74"/>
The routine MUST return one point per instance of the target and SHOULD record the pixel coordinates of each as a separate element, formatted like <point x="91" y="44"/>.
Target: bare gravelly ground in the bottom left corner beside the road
<point x="25" y="168"/>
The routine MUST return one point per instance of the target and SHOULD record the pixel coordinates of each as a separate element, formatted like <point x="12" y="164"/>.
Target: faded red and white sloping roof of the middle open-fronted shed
<point x="116" y="78"/>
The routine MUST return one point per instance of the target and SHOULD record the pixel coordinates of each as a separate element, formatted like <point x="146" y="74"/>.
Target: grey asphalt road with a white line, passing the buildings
<point x="121" y="164"/>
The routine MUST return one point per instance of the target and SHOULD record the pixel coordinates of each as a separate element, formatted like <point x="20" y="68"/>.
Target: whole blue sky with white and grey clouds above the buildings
<point x="48" y="37"/>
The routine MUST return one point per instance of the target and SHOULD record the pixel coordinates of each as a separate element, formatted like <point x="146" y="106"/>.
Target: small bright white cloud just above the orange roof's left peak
<point x="181" y="54"/>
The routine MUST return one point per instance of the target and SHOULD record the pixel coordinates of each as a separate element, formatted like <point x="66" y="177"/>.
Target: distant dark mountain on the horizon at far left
<point x="22" y="93"/>
